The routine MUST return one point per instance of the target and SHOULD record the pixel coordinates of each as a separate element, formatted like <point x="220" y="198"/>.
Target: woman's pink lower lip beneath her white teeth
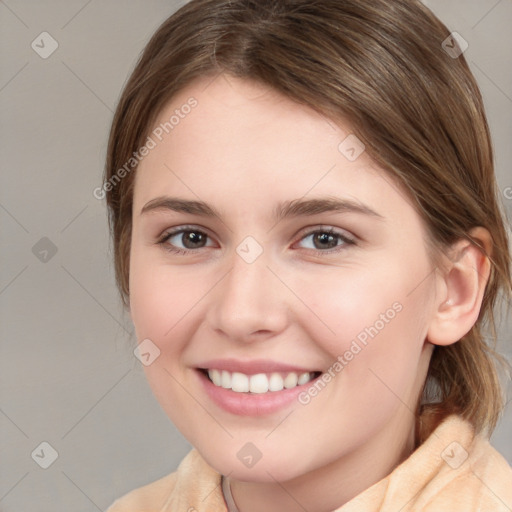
<point x="251" y="404"/>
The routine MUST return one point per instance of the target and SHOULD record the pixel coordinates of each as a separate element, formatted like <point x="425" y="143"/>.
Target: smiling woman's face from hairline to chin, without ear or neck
<point x="278" y="285"/>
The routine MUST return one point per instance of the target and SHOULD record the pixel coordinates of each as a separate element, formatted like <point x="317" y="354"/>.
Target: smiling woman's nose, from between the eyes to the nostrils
<point x="250" y="303"/>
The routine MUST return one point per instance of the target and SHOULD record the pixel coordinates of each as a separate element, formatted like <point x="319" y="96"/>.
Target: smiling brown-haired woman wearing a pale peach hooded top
<point x="308" y="239"/>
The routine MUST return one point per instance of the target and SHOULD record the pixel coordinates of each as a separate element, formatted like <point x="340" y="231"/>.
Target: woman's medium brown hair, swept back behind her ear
<point x="380" y="65"/>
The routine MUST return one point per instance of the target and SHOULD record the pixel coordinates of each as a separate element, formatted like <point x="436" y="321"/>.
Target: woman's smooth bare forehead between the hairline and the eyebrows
<point x="250" y="139"/>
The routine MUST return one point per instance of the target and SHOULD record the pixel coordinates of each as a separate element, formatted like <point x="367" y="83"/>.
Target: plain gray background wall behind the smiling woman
<point x="67" y="372"/>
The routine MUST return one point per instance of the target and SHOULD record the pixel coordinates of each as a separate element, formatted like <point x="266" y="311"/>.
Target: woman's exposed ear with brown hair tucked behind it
<point x="460" y="290"/>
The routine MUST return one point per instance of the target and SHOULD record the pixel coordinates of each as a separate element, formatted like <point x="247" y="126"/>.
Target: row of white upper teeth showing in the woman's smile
<point x="259" y="383"/>
